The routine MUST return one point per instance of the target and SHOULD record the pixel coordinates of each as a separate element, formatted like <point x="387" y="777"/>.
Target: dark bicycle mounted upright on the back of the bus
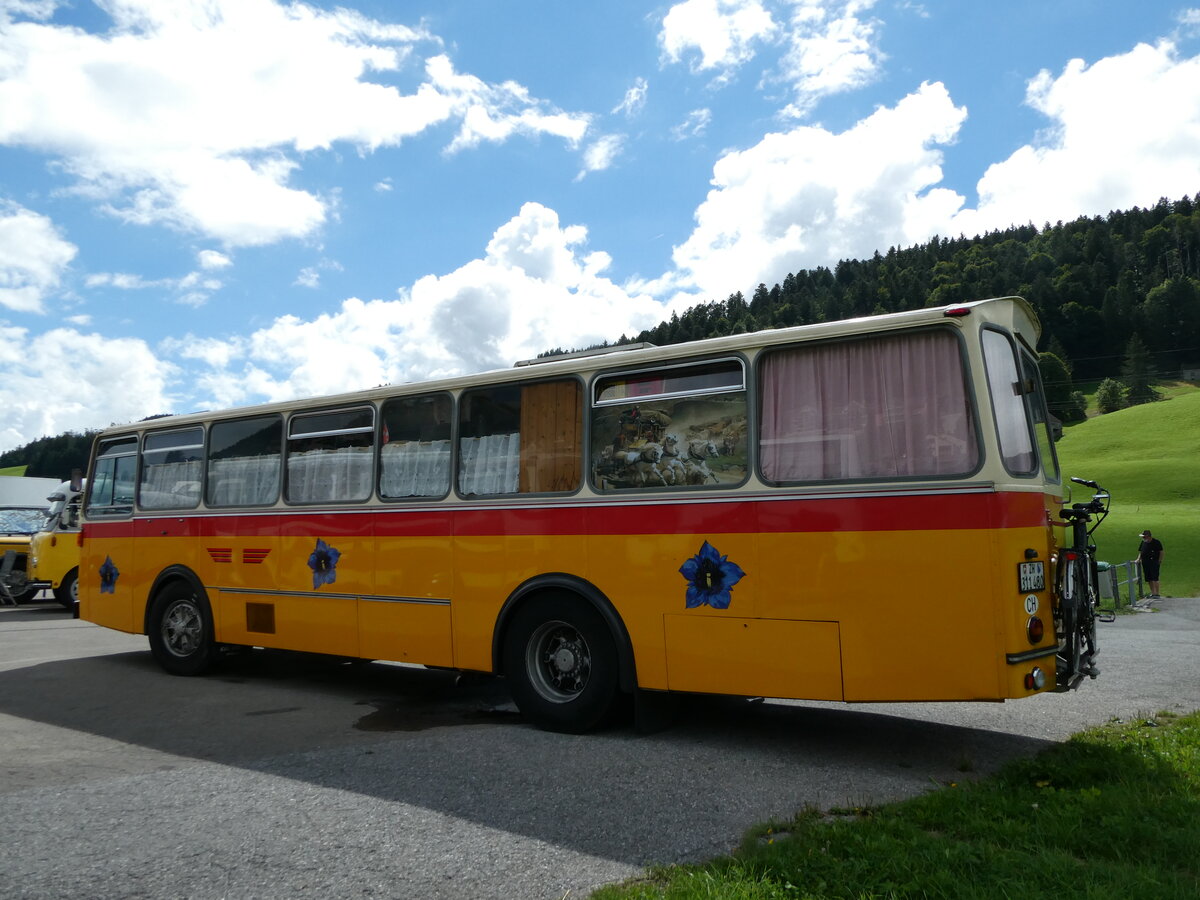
<point x="1079" y="591"/>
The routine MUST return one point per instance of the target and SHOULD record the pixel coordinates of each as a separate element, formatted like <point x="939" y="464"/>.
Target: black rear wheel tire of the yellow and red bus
<point x="561" y="662"/>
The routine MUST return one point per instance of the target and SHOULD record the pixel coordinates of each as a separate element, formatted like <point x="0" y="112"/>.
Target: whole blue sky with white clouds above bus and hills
<point x="212" y="203"/>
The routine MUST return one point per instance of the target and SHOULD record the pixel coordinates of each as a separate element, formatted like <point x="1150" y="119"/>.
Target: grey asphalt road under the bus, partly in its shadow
<point x="293" y="777"/>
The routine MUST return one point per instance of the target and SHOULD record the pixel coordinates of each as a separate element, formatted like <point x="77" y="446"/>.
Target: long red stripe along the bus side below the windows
<point x="940" y="512"/>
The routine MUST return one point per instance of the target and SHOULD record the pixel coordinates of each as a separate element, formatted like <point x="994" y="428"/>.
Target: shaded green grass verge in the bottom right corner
<point x="1112" y="813"/>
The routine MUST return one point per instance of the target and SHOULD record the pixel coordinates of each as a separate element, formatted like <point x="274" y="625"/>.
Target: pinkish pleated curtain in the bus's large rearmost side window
<point x="892" y="407"/>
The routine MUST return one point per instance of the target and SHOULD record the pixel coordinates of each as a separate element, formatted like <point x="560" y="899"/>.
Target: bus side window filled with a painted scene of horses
<point x="671" y="429"/>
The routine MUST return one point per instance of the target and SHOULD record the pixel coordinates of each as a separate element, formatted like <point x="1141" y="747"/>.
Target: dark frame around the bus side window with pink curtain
<point x="969" y="389"/>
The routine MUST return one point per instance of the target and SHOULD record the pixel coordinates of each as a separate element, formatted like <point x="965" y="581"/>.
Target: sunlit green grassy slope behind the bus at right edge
<point x="1149" y="458"/>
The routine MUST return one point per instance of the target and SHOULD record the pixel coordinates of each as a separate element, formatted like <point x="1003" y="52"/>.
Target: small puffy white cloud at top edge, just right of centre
<point x="723" y="32"/>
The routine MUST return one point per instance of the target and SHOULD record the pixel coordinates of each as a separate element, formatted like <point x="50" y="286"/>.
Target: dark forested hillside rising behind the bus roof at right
<point x="1095" y="284"/>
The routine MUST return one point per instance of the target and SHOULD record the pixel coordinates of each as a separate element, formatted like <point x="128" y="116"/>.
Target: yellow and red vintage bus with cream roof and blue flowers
<point x="860" y="511"/>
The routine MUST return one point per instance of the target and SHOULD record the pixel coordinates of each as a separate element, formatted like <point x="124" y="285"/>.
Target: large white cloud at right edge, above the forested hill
<point x="1125" y="133"/>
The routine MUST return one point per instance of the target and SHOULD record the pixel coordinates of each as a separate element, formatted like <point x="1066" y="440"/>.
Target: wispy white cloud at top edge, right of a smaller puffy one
<point x="832" y="50"/>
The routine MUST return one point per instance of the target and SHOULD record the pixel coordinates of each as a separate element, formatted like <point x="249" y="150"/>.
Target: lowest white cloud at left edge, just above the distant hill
<point x="107" y="381"/>
